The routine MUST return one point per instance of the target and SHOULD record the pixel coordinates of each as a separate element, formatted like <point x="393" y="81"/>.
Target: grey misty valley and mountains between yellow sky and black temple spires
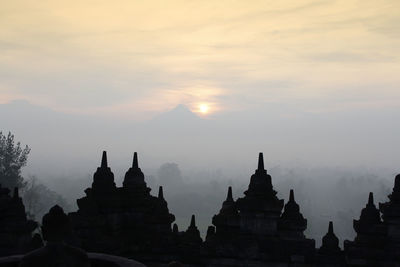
<point x="331" y="160"/>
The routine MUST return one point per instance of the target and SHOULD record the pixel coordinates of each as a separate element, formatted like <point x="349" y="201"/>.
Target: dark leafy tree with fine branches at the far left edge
<point x="12" y="159"/>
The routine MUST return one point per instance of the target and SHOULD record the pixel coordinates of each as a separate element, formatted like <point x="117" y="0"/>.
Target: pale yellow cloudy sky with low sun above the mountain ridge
<point x="137" y="58"/>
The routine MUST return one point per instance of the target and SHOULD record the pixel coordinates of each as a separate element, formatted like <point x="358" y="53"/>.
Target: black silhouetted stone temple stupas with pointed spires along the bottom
<point x="258" y="229"/>
